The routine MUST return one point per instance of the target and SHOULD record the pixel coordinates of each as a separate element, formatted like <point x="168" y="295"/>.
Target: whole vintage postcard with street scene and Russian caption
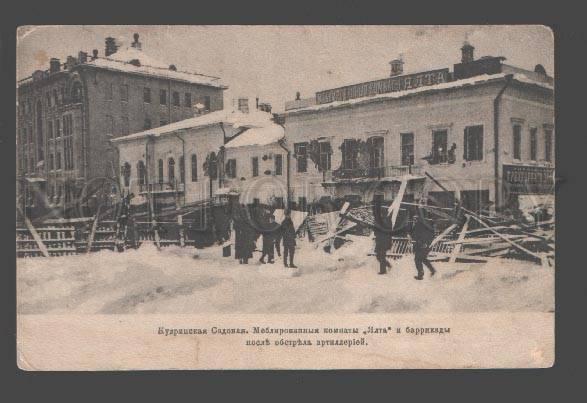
<point x="285" y="197"/>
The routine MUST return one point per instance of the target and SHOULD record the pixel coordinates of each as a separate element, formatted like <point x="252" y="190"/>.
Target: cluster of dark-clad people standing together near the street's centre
<point x="248" y="229"/>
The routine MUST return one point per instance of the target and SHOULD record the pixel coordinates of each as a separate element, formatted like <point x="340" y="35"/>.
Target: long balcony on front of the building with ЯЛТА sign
<point x="388" y="173"/>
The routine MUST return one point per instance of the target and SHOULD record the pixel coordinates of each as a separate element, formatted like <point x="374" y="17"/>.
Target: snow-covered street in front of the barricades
<point x="186" y="280"/>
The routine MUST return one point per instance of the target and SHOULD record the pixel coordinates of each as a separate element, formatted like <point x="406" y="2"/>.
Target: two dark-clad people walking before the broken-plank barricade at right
<point x="421" y="233"/>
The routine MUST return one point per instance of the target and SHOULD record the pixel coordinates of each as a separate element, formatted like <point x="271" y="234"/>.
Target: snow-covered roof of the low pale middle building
<point x="235" y="118"/>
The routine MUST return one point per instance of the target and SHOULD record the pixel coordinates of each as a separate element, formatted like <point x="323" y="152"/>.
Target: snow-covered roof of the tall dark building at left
<point x="120" y="61"/>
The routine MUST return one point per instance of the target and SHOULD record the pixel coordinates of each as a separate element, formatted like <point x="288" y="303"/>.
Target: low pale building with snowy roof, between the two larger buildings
<point x="193" y="160"/>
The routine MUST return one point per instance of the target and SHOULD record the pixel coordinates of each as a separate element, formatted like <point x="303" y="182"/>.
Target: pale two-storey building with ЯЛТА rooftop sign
<point x="484" y="130"/>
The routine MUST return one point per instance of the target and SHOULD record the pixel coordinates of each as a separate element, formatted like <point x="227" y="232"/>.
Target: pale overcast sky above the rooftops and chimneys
<point x="273" y="62"/>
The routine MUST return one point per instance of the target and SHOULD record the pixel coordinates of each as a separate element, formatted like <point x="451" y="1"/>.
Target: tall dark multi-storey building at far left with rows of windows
<point x="68" y="114"/>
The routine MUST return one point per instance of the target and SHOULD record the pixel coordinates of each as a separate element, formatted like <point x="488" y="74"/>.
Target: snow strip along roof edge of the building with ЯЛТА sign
<point x="437" y="87"/>
